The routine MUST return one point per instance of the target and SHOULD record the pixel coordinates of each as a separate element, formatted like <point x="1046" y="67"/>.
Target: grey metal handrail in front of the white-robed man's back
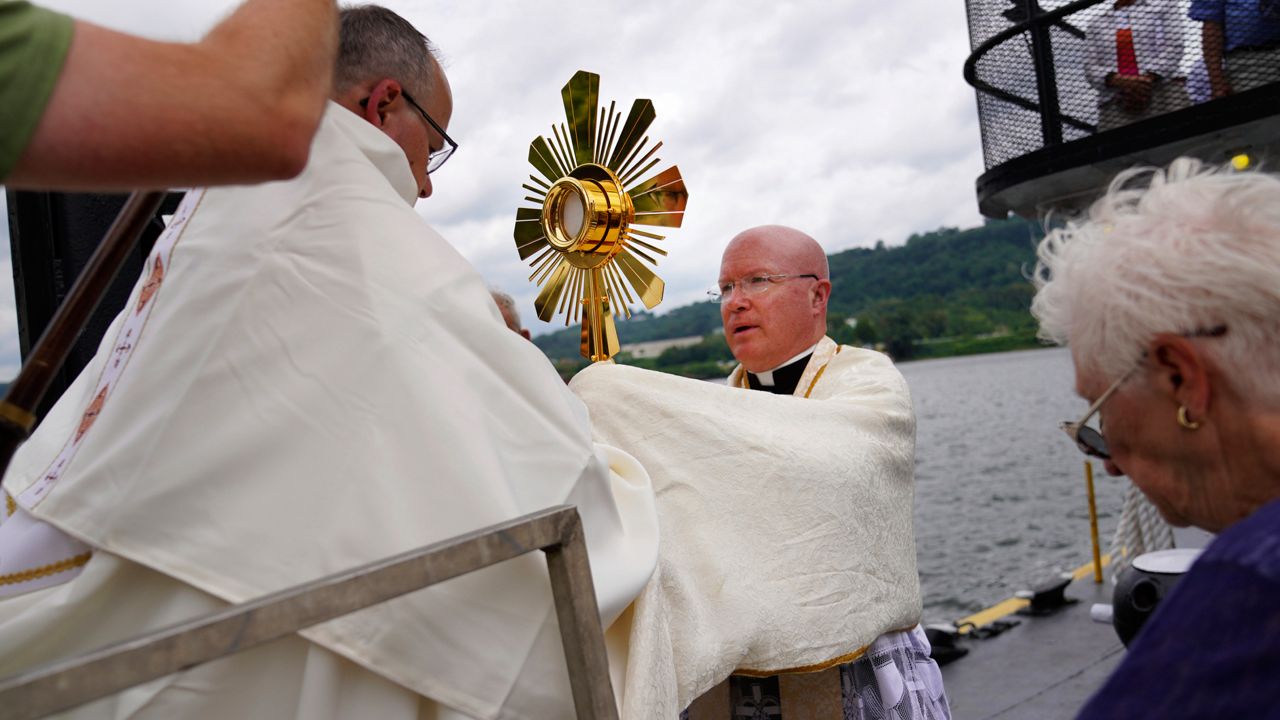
<point x="557" y="531"/>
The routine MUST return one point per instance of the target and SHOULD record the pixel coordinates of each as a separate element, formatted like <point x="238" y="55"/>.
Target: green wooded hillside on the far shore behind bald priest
<point x="944" y="293"/>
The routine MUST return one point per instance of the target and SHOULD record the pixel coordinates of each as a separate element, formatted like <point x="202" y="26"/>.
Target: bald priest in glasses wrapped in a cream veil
<point x="787" y="584"/>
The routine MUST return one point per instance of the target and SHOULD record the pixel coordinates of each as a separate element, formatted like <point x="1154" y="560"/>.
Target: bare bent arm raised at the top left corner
<point x="239" y="107"/>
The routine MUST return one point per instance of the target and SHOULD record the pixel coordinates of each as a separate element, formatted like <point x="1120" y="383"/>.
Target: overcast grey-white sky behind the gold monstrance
<point x="849" y="121"/>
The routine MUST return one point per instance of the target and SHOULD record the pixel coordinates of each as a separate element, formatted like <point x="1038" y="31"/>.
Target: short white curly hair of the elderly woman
<point x="1182" y="250"/>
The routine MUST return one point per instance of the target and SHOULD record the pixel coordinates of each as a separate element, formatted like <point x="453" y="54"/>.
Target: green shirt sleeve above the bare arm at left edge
<point x="34" y="44"/>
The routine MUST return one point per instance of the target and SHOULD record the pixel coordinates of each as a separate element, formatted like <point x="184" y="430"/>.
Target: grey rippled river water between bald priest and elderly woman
<point x="1000" y="496"/>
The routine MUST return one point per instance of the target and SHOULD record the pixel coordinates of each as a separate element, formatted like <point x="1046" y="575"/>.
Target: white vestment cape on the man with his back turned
<point x="322" y="382"/>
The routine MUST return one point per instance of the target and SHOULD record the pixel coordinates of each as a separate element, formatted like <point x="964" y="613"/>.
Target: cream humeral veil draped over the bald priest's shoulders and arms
<point x="787" y="535"/>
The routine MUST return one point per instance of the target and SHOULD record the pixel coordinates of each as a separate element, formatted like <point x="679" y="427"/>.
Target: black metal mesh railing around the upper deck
<point x="1090" y="66"/>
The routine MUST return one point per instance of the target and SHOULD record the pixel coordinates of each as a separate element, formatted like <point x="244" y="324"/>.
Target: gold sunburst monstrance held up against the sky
<point x="582" y="239"/>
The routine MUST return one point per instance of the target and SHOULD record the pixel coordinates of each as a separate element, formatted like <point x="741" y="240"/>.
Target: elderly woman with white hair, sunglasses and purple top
<point x="1169" y="295"/>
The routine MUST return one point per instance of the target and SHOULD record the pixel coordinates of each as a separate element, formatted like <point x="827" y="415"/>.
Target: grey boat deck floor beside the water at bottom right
<point x="1046" y="667"/>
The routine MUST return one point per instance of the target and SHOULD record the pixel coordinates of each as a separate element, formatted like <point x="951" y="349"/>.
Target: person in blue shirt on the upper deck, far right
<point x="1241" y="40"/>
